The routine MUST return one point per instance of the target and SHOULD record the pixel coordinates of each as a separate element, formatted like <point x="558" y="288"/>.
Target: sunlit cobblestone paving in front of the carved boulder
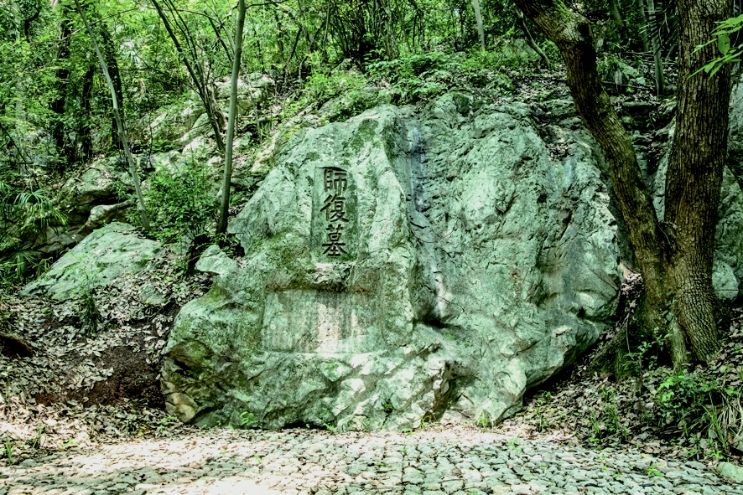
<point x="454" y="461"/>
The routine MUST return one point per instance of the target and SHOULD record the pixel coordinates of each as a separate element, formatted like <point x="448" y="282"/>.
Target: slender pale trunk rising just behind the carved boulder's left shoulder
<point x="227" y="178"/>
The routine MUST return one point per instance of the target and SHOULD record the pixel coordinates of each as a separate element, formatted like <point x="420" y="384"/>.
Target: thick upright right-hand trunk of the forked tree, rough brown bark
<point x="695" y="174"/>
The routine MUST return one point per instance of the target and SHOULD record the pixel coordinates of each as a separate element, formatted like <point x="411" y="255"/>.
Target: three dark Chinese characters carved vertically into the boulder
<point x="333" y="215"/>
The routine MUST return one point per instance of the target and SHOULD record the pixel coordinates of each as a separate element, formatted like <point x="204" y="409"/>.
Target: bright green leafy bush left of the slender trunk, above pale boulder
<point x="180" y="203"/>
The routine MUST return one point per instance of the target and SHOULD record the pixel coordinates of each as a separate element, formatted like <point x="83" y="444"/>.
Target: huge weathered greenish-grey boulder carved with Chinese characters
<point x="400" y="267"/>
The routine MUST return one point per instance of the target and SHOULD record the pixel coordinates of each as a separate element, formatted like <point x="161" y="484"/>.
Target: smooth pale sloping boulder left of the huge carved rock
<point x="98" y="260"/>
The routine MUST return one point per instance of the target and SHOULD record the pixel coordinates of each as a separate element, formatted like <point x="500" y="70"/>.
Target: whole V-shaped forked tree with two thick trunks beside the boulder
<point x="675" y="261"/>
